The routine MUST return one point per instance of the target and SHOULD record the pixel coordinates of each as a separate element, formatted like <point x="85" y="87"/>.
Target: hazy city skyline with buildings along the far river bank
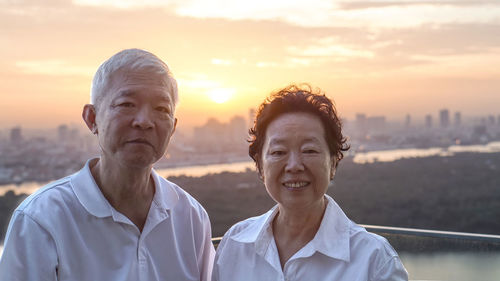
<point x="45" y="155"/>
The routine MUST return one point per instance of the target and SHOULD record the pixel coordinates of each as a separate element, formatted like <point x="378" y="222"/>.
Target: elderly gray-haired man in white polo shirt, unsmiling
<point x="116" y="219"/>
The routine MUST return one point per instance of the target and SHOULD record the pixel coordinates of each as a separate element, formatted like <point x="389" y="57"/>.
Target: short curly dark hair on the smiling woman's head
<point x="298" y="98"/>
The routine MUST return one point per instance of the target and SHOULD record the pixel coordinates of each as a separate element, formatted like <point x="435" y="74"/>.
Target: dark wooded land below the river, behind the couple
<point x="453" y="193"/>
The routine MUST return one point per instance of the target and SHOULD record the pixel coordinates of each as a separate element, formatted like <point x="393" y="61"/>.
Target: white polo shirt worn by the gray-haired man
<point x="67" y="230"/>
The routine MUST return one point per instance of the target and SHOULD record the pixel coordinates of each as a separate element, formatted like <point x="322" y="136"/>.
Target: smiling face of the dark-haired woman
<point x="296" y="162"/>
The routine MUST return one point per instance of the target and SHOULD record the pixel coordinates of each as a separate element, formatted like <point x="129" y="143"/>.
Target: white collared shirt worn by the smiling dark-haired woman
<point x="340" y="250"/>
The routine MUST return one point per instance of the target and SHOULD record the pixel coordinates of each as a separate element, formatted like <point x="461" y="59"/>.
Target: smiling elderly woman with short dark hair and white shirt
<point x="297" y="143"/>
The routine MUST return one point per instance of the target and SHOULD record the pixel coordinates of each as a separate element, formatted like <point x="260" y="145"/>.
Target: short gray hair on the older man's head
<point x="130" y="59"/>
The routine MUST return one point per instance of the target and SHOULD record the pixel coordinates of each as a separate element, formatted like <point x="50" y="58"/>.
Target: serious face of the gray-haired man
<point x="135" y="119"/>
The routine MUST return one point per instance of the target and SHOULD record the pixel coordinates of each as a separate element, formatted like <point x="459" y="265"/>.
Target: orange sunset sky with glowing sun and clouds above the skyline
<point x="377" y="57"/>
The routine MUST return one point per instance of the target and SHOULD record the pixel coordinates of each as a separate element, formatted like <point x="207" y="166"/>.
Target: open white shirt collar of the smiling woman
<point x="332" y="238"/>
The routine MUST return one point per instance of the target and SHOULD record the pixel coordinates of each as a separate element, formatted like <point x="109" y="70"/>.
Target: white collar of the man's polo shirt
<point x="90" y="196"/>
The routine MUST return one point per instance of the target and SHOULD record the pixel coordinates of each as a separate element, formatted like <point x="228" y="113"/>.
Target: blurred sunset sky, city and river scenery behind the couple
<point x="416" y="83"/>
